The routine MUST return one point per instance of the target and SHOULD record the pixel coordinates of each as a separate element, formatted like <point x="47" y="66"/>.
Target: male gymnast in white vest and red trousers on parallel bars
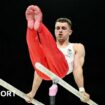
<point x="61" y="56"/>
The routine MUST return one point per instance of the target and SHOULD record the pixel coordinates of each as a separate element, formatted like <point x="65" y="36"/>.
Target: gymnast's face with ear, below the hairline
<point x="62" y="31"/>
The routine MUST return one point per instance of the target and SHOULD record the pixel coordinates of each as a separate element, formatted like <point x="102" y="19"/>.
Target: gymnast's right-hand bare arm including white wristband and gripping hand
<point x="78" y="71"/>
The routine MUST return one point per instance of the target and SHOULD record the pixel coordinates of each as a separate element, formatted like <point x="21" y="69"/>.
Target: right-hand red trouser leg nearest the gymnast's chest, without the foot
<point x="55" y="59"/>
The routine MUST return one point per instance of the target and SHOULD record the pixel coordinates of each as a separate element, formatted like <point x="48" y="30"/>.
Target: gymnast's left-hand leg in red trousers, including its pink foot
<point x="34" y="46"/>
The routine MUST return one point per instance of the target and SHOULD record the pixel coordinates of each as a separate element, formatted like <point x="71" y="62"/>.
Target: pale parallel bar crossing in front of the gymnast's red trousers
<point x="61" y="82"/>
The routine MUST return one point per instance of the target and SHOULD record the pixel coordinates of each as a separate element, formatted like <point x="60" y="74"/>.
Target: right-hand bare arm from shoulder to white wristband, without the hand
<point x="78" y="64"/>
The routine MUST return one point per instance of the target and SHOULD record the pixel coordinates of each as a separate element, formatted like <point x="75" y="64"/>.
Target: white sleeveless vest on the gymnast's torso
<point x="69" y="53"/>
